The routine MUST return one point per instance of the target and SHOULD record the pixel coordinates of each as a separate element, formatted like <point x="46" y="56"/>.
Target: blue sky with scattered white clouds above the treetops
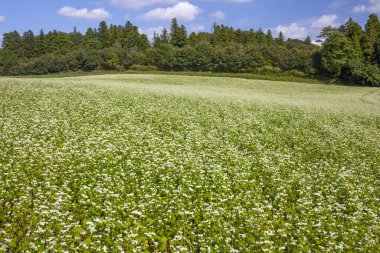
<point x="296" y="18"/>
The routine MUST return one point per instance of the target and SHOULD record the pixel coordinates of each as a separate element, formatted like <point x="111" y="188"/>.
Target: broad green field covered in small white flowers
<point x="146" y="163"/>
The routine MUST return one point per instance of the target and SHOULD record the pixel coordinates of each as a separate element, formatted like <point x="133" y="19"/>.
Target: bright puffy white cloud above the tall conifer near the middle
<point x="184" y="11"/>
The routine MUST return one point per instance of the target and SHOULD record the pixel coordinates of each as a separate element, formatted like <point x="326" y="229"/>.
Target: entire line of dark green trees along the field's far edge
<point x="349" y="53"/>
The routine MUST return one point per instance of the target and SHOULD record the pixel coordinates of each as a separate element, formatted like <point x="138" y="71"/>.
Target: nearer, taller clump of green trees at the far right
<point x="350" y="54"/>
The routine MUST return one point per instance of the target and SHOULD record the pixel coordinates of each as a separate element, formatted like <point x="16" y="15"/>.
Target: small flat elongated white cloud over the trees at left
<point x="99" y="13"/>
